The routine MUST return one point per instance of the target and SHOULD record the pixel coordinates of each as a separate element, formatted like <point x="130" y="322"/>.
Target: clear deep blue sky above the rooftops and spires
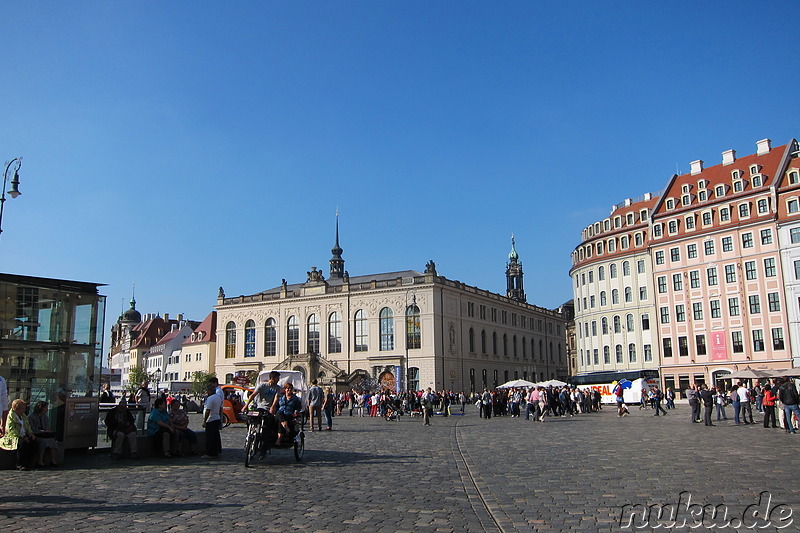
<point x="191" y="145"/>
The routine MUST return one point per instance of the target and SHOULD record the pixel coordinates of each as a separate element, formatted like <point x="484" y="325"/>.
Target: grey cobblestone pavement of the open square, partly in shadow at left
<point x="461" y="474"/>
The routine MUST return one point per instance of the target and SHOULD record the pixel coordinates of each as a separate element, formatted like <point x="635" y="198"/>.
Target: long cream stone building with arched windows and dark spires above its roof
<point x="404" y="329"/>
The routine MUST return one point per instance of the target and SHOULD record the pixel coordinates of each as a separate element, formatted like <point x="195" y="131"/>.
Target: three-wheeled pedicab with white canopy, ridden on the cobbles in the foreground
<point x="262" y="426"/>
